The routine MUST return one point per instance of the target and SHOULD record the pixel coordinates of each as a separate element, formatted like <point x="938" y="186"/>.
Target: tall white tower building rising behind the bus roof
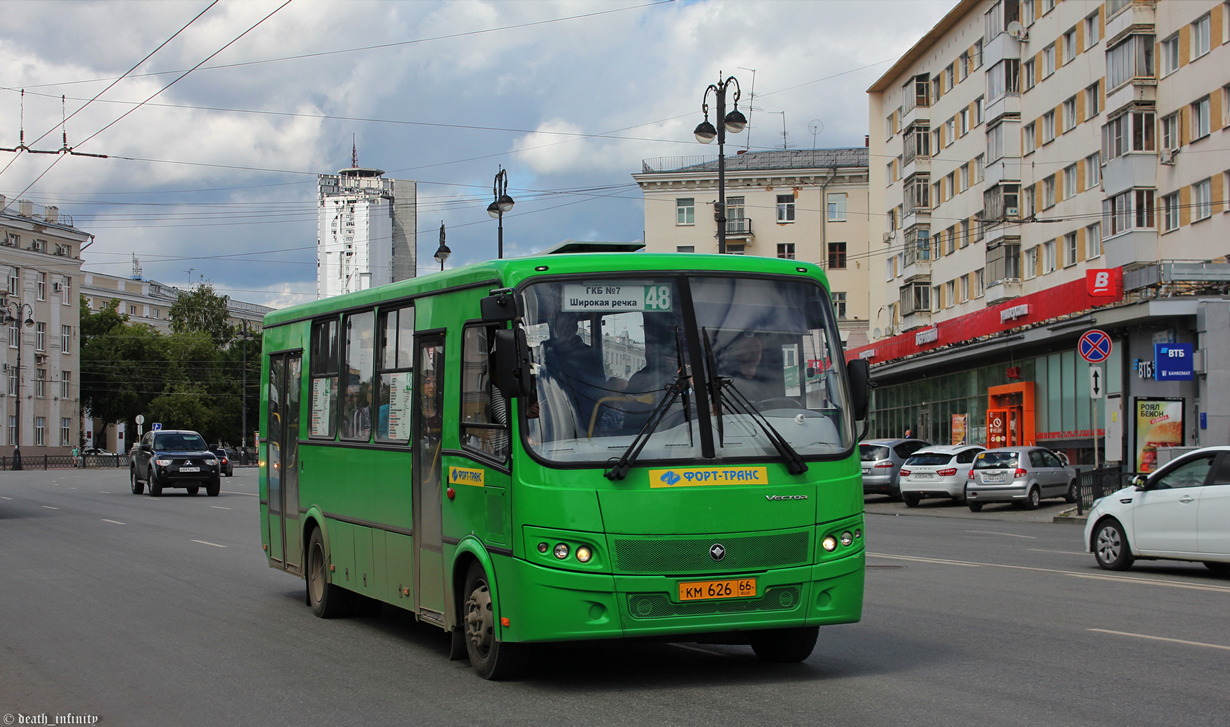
<point x="366" y="231"/>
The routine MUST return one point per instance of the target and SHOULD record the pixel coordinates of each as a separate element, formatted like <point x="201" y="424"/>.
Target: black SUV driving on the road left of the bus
<point x="174" y="458"/>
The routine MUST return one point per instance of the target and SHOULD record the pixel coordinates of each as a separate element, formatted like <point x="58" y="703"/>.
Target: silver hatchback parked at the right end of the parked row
<point x="1022" y="475"/>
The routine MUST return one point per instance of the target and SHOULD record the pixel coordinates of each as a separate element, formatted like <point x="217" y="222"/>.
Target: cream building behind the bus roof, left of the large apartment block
<point x="795" y="204"/>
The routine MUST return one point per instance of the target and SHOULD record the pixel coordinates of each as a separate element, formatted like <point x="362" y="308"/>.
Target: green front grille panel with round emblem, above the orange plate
<point x="696" y="555"/>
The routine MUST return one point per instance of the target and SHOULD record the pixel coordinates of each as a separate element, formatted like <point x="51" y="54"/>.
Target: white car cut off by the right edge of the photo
<point x="1179" y="512"/>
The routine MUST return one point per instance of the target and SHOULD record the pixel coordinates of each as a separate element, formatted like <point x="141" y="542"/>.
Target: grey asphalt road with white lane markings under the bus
<point x="142" y="611"/>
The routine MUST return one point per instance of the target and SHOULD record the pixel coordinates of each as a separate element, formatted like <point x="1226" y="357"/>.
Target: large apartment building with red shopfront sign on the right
<point x="1042" y="170"/>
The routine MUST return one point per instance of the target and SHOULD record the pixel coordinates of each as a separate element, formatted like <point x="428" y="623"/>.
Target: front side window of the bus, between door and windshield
<point x="484" y="409"/>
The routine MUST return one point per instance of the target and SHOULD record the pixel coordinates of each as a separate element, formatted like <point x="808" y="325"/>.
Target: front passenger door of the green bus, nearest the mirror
<point x="427" y="487"/>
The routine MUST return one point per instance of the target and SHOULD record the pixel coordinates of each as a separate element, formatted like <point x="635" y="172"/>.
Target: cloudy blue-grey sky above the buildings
<point x="216" y="119"/>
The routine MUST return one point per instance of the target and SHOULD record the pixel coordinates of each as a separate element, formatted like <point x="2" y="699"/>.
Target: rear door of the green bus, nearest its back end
<point x="282" y="462"/>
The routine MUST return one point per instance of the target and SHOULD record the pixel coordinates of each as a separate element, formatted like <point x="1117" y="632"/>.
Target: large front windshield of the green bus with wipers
<point x="662" y="357"/>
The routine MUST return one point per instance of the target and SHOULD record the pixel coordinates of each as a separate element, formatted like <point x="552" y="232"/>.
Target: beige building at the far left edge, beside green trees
<point x="41" y="256"/>
